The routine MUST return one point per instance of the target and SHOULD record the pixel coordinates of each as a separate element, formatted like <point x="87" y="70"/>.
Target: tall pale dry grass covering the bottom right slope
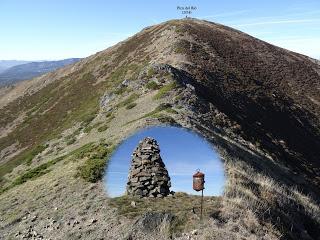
<point x="256" y="204"/>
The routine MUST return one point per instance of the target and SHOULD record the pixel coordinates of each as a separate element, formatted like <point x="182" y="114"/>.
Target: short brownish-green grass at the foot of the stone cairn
<point x="184" y="207"/>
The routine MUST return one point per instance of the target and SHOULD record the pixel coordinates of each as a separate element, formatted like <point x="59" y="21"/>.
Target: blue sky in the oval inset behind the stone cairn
<point x="182" y="151"/>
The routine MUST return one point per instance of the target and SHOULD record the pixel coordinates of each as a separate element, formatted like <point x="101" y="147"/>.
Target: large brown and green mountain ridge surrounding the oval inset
<point x="258" y="104"/>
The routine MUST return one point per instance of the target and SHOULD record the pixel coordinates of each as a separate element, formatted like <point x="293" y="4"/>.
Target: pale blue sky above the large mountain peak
<point x="47" y="29"/>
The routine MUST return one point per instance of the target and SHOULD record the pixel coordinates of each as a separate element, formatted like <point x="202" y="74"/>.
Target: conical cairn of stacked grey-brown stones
<point x="148" y="176"/>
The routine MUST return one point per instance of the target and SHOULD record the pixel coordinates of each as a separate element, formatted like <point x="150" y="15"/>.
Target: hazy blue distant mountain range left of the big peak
<point x="15" y="71"/>
